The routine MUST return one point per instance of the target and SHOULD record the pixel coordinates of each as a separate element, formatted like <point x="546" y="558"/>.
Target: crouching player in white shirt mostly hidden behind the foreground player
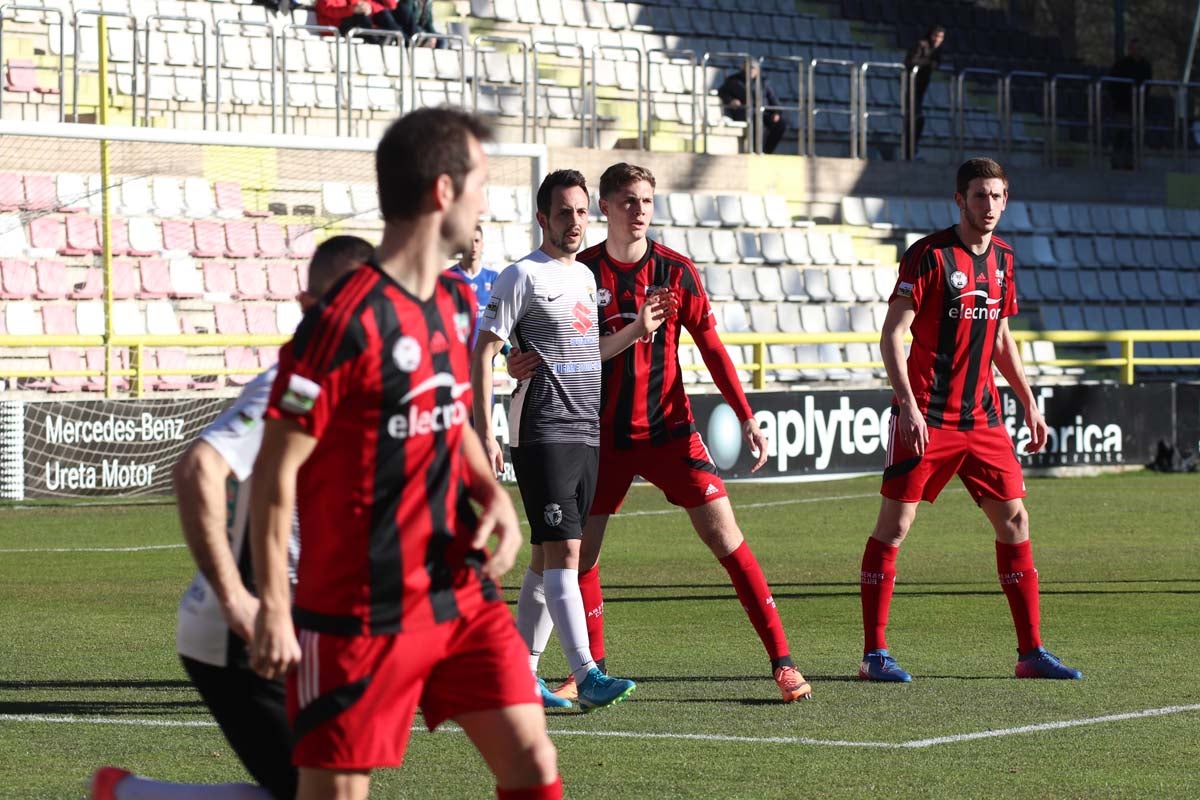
<point x="217" y="615"/>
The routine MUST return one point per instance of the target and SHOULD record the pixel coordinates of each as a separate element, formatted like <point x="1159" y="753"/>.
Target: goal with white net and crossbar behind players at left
<point x="208" y="238"/>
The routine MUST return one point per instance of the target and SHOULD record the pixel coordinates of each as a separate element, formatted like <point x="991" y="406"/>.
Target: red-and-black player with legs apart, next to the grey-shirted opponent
<point x="646" y="423"/>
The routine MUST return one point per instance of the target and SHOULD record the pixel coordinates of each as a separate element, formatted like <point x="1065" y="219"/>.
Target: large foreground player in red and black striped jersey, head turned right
<point x="397" y="603"/>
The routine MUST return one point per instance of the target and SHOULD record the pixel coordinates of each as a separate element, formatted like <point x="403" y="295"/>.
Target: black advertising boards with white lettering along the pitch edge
<point x="55" y="450"/>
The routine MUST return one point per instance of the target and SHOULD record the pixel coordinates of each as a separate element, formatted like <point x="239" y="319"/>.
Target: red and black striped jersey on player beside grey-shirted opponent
<point x="644" y="399"/>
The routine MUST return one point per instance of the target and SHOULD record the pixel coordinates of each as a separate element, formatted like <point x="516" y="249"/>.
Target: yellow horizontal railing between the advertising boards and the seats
<point x="139" y="368"/>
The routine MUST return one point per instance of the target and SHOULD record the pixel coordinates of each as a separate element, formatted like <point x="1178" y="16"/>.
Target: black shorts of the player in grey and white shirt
<point x="557" y="485"/>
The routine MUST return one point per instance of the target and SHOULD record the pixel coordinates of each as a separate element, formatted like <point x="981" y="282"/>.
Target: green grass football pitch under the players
<point x="89" y="677"/>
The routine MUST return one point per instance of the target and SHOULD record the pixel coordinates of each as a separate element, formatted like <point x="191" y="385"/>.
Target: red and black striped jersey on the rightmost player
<point x="961" y="299"/>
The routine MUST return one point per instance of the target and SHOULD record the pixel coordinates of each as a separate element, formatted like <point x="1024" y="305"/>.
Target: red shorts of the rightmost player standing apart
<point x="985" y="460"/>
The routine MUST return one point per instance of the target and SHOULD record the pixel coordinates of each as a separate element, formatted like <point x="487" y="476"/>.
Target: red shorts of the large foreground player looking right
<point x="353" y="699"/>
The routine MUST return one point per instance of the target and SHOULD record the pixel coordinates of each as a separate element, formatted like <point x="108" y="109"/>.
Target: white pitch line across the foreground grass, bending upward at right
<point x="916" y="744"/>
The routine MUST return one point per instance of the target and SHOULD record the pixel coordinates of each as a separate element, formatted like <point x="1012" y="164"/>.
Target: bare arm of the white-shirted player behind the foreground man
<point x="200" y="479"/>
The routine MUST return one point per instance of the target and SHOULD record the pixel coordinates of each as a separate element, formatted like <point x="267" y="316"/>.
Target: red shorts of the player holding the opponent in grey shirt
<point x="682" y="468"/>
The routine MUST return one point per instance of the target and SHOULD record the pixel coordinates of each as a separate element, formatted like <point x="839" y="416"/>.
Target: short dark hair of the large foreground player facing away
<point x="419" y="148"/>
